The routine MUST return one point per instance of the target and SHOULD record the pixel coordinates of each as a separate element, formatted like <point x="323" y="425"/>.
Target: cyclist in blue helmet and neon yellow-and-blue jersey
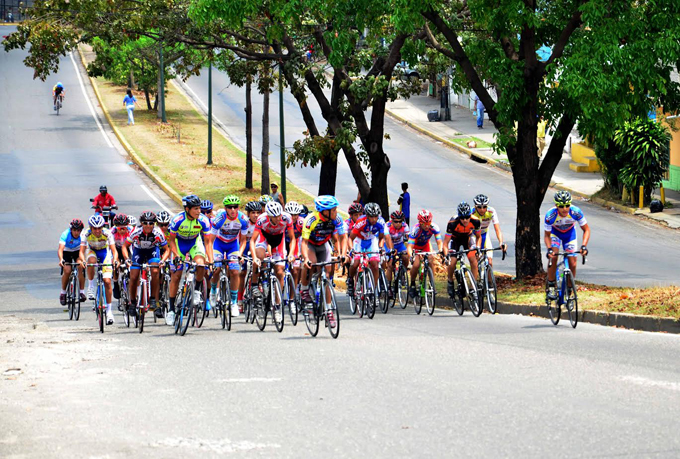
<point x="183" y="239"/>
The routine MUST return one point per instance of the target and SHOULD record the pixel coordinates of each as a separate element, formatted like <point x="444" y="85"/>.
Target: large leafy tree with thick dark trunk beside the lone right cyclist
<point x="604" y="55"/>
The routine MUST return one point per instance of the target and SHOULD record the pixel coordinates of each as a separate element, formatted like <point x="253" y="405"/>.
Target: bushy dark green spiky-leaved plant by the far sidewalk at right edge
<point x="644" y="152"/>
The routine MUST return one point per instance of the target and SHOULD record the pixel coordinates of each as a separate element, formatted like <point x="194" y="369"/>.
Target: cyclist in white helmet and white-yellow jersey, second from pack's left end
<point x="101" y="248"/>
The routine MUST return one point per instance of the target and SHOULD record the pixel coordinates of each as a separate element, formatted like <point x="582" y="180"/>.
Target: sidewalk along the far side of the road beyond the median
<point x="463" y="127"/>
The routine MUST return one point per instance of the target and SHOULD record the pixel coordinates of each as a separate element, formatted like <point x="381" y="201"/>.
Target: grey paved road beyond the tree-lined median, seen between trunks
<point x="624" y="250"/>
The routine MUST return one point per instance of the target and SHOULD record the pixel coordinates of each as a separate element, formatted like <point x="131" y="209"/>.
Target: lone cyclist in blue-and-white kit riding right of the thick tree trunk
<point x="560" y="229"/>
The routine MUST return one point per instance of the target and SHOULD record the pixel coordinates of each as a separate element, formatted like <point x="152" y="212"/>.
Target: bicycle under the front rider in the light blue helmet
<point x="324" y="306"/>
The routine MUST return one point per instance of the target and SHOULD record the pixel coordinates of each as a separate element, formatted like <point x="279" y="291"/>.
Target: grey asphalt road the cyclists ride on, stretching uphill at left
<point x="400" y="385"/>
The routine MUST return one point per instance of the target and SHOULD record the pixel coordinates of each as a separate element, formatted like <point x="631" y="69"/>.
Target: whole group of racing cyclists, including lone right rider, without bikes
<point x="216" y="240"/>
